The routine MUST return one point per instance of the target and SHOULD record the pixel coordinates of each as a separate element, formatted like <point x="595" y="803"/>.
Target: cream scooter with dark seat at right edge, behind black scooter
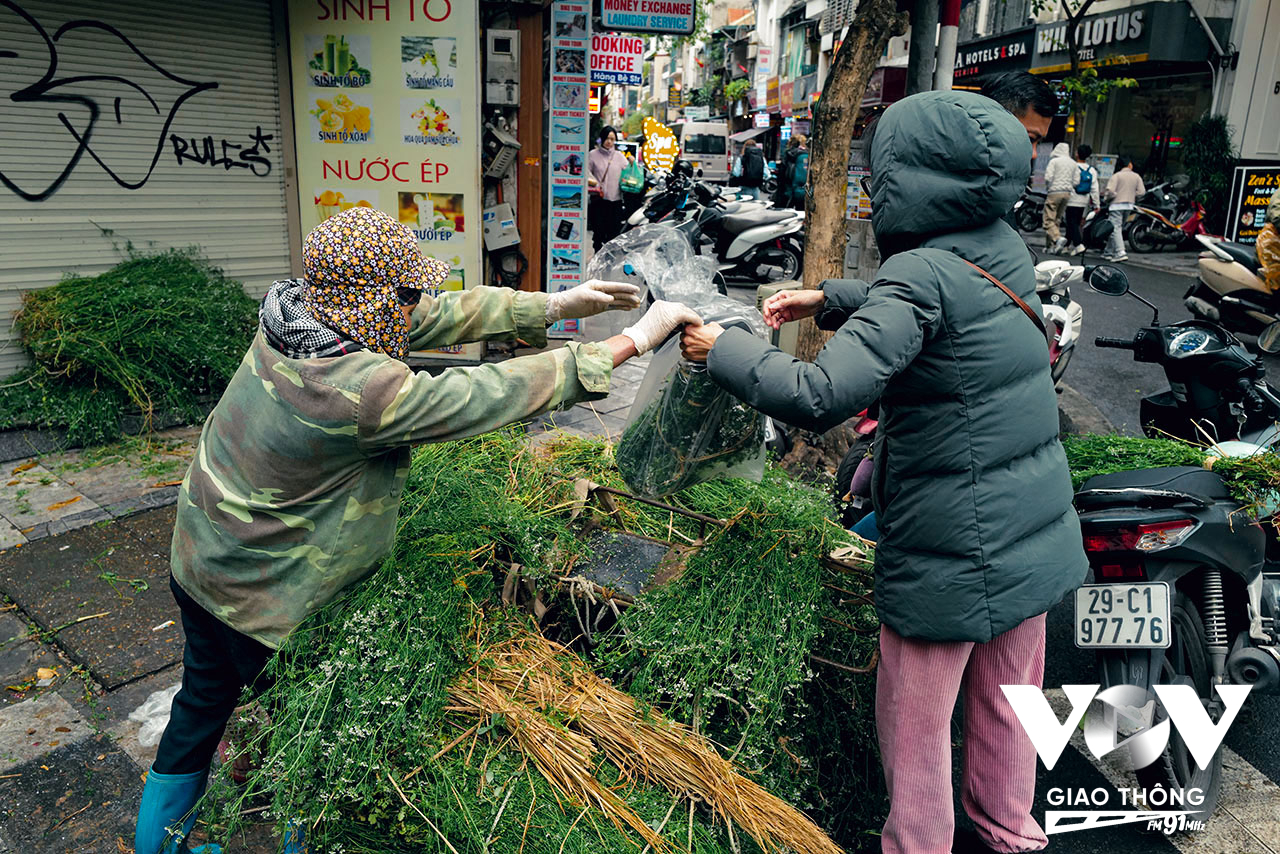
<point x="1229" y="289"/>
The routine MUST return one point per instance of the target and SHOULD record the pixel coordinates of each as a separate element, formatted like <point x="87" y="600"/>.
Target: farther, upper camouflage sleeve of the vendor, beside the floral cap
<point x="479" y="314"/>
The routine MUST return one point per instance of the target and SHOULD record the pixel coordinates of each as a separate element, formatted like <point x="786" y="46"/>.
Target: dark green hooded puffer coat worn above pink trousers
<point x="971" y="488"/>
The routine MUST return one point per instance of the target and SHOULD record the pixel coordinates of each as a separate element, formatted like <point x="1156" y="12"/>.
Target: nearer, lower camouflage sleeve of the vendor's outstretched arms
<point x="399" y="407"/>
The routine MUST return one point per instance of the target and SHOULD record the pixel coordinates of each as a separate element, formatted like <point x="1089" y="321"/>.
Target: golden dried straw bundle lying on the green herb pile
<point x="531" y="672"/>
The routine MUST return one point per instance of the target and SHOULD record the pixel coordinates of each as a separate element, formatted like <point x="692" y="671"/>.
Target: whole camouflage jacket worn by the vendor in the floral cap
<point x="296" y="485"/>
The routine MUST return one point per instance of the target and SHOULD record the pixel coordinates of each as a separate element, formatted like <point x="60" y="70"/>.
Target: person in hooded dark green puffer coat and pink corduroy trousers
<point x="973" y="499"/>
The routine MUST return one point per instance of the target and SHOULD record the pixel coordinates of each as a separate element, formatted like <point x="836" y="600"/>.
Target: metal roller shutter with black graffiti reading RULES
<point x="180" y="107"/>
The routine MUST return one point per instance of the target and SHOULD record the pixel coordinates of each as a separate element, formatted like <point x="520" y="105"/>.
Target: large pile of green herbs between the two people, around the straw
<point x="363" y="752"/>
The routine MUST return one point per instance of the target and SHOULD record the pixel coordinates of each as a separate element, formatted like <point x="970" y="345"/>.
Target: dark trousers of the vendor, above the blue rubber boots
<point x="218" y="664"/>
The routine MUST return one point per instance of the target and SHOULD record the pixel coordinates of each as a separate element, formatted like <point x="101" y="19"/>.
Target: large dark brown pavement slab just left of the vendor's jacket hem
<point x="102" y="570"/>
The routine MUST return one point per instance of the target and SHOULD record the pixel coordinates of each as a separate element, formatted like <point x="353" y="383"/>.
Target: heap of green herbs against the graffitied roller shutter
<point x="161" y="332"/>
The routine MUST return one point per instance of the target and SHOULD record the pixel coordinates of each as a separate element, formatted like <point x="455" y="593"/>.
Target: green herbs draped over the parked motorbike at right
<point x="1252" y="481"/>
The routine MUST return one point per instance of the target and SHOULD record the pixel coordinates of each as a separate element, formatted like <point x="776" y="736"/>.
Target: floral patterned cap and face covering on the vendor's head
<point x="358" y="266"/>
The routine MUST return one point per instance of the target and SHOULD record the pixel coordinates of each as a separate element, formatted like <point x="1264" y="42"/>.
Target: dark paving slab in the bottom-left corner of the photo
<point x="79" y="798"/>
